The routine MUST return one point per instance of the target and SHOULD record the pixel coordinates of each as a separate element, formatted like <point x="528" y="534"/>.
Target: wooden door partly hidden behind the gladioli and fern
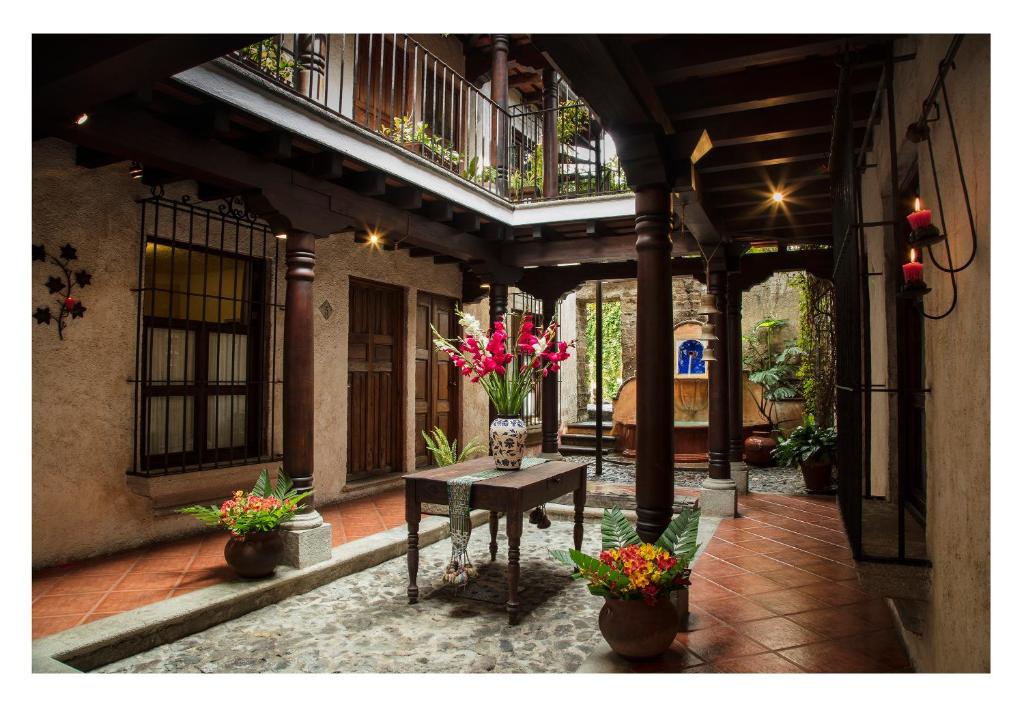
<point x="437" y="380"/>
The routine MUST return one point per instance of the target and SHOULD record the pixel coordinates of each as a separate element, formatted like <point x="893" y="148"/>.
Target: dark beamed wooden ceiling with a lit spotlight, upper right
<point x="765" y="101"/>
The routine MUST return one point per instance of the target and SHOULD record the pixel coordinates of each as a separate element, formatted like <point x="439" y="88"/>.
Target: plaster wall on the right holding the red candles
<point x="957" y="629"/>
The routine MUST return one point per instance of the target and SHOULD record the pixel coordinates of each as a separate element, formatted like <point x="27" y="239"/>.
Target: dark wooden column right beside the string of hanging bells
<point x="718" y="379"/>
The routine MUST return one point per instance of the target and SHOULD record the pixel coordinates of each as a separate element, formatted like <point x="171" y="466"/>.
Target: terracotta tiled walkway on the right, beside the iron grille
<point x="777" y="592"/>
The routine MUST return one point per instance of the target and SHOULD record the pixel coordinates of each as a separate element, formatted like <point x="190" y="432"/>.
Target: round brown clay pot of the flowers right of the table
<point x="636" y="631"/>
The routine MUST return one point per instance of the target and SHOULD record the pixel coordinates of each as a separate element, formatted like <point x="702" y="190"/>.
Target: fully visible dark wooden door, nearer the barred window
<point x="376" y="327"/>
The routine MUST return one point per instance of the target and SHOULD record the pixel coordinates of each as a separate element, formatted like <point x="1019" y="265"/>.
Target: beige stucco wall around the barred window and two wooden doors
<point x="82" y="398"/>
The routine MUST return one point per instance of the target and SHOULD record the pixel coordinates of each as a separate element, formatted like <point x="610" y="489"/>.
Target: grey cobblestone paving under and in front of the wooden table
<point x="363" y="623"/>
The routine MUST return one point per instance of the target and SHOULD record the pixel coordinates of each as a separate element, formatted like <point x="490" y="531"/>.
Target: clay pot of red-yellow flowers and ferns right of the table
<point x="638" y="619"/>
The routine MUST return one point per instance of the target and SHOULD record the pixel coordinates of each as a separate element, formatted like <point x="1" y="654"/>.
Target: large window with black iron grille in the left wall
<point x="207" y="347"/>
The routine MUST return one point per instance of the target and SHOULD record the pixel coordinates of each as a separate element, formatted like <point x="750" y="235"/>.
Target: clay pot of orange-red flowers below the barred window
<point x="255" y="548"/>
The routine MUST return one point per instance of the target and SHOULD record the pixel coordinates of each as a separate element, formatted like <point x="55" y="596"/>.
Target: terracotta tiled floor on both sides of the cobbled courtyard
<point x="775" y="592"/>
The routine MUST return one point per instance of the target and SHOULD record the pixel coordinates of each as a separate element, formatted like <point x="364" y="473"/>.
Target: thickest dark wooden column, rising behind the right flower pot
<point x="655" y="379"/>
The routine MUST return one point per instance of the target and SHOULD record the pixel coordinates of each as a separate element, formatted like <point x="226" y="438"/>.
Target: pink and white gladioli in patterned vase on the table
<point x="486" y="360"/>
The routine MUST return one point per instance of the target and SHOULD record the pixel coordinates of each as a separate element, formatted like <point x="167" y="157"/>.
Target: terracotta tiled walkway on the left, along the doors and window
<point x="80" y="593"/>
